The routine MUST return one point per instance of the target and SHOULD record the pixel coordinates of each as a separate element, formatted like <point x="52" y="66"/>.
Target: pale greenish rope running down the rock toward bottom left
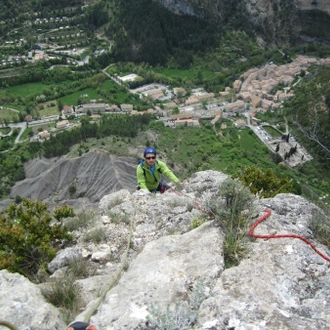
<point x="112" y="284"/>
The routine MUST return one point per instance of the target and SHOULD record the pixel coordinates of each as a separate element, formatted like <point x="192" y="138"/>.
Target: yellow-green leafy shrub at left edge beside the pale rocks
<point x="27" y="238"/>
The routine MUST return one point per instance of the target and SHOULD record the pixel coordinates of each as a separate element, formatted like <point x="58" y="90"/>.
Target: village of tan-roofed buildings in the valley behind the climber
<point x="248" y="96"/>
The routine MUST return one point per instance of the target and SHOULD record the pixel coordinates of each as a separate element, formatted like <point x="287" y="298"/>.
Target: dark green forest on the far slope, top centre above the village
<point x="150" y="33"/>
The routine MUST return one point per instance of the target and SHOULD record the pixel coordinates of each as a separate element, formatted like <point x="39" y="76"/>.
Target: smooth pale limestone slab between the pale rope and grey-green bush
<point x="161" y="273"/>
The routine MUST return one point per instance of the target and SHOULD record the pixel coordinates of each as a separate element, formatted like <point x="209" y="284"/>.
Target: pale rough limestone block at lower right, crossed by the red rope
<point x="283" y="284"/>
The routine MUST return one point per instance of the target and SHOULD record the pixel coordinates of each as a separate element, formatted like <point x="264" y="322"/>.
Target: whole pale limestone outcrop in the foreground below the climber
<point x="281" y="284"/>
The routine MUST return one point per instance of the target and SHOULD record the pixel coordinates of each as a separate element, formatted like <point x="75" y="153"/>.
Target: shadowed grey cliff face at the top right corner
<point x="278" y="22"/>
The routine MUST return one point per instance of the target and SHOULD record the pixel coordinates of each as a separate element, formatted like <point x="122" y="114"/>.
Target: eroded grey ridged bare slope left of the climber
<point x="94" y="175"/>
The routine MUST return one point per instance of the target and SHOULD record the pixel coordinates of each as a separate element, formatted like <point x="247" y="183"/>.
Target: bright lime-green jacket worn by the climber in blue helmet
<point x="145" y="178"/>
